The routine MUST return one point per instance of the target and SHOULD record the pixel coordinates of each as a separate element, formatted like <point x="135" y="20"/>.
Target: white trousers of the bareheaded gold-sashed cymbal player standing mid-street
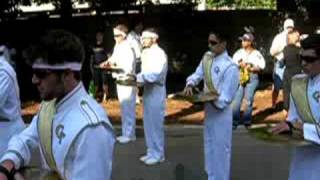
<point x="217" y="142"/>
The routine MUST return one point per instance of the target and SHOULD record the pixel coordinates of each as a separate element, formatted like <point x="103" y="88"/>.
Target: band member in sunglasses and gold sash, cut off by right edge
<point x="304" y="114"/>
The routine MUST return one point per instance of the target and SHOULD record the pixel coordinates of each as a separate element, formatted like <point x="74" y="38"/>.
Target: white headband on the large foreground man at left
<point x="74" y="66"/>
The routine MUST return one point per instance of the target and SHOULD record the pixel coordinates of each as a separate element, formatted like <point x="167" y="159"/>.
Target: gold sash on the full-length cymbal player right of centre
<point x="207" y="65"/>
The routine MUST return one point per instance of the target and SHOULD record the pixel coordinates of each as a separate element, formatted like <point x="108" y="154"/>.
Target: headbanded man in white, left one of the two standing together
<point x="123" y="57"/>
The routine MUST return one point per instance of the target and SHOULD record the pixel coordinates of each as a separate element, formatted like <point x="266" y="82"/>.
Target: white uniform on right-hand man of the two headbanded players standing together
<point x="153" y="78"/>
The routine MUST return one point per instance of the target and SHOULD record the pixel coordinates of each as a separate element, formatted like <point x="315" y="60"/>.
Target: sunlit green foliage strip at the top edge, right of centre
<point x="242" y="4"/>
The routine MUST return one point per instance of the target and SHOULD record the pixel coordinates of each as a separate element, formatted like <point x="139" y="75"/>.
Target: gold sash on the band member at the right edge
<point x="299" y="91"/>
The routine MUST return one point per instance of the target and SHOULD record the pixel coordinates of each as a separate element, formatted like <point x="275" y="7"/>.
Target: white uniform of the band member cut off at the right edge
<point x="305" y="164"/>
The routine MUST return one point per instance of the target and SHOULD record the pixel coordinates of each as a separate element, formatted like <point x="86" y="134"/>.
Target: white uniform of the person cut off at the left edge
<point x="10" y="108"/>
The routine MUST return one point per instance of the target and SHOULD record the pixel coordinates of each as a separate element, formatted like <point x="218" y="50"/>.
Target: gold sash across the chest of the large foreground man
<point x="45" y="123"/>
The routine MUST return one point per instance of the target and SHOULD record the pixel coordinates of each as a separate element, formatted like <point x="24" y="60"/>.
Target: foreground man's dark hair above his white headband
<point x="58" y="46"/>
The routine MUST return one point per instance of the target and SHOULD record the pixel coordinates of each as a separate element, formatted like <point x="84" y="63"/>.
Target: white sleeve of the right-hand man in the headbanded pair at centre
<point x="154" y="75"/>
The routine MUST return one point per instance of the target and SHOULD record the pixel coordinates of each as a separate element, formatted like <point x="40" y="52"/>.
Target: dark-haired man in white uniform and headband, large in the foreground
<point x="71" y="129"/>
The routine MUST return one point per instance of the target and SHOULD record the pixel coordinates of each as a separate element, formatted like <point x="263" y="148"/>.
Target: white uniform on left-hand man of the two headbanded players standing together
<point x="123" y="56"/>
